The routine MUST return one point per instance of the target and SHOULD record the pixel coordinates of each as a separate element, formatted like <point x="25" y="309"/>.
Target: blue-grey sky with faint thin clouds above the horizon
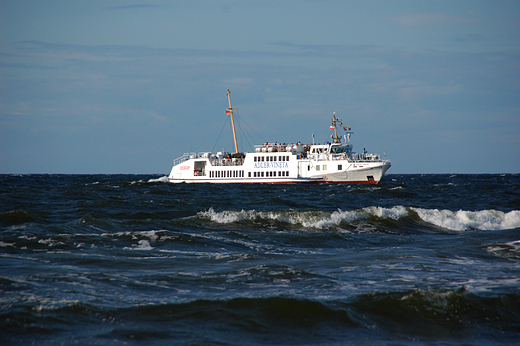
<point x="109" y="87"/>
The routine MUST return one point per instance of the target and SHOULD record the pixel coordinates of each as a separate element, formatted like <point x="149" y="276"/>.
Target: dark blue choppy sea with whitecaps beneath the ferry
<point x="132" y="259"/>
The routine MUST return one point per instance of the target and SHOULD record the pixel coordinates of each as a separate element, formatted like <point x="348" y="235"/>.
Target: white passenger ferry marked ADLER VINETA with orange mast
<point x="274" y="163"/>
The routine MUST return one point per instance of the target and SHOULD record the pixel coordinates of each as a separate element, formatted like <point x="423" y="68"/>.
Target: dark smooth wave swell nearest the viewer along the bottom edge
<point x="426" y="315"/>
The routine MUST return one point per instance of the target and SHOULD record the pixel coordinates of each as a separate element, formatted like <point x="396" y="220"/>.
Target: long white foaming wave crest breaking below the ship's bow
<point x="455" y="221"/>
